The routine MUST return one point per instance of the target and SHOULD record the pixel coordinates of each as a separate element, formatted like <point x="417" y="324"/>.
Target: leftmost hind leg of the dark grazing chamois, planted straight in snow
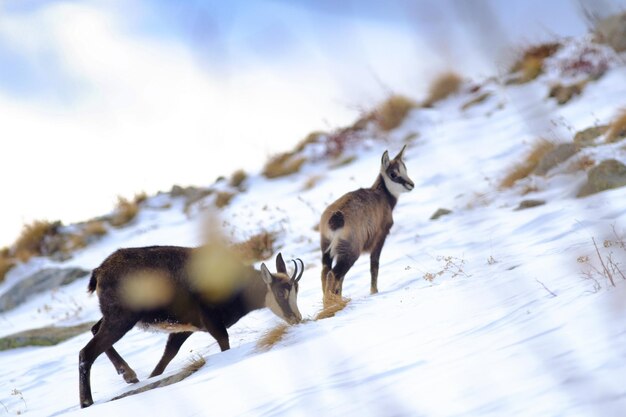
<point x="108" y="333"/>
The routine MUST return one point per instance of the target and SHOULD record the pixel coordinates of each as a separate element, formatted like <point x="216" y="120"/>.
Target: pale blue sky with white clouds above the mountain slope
<point x="107" y="97"/>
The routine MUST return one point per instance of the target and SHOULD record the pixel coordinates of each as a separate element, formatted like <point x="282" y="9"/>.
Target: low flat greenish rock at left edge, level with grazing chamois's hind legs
<point x="44" y="336"/>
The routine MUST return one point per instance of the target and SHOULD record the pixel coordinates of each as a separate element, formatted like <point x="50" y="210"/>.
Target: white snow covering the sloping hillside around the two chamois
<point x="486" y="311"/>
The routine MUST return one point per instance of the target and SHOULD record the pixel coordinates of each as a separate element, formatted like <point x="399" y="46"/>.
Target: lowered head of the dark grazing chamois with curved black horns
<point x="282" y="292"/>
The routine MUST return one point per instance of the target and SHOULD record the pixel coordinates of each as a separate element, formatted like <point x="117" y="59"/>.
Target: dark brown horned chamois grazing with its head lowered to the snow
<point x="178" y="301"/>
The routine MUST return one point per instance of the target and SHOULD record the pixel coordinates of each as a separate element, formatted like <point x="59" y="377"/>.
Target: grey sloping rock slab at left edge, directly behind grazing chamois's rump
<point x="40" y="281"/>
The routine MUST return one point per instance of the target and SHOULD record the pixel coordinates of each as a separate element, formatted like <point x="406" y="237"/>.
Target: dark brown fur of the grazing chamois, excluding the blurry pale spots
<point x="184" y="310"/>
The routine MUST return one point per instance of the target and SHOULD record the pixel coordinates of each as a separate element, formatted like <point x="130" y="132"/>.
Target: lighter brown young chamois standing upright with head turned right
<point x="358" y="222"/>
